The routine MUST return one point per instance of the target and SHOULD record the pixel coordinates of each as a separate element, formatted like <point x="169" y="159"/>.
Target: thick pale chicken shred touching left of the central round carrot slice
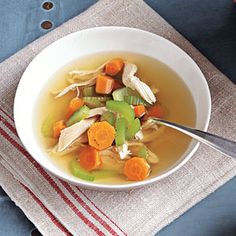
<point x="70" y="134"/>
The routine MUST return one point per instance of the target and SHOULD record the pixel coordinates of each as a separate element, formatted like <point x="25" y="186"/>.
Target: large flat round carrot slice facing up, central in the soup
<point x="101" y="135"/>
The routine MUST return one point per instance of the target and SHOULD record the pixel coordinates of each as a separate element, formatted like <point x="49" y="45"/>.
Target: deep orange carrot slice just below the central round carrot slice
<point x="89" y="158"/>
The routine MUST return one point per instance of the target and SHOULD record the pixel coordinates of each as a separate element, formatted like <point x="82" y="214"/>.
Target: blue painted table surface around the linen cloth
<point x="208" y="25"/>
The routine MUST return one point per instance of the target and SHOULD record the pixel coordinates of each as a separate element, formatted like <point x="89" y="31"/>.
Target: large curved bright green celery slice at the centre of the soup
<point x="121" y="108"/>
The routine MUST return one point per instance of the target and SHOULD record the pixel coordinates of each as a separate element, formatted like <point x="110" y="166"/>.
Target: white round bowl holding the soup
<point x="95" y="40"/>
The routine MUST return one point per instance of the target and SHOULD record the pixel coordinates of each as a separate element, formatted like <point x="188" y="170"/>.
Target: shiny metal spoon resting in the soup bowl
<point x="223" y="145"/>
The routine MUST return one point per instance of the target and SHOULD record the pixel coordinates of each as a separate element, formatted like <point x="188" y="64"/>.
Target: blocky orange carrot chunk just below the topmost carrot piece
<point x="104" y="84"/>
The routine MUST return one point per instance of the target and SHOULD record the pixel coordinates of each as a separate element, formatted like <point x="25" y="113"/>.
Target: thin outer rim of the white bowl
<point x="126" y="186"/>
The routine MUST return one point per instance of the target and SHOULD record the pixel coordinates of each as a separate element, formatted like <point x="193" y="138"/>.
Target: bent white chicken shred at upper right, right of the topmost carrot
<point x="130" y="80"/>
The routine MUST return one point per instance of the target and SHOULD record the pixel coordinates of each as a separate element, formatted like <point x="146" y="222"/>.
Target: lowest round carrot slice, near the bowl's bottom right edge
<point x="136" y="168"/>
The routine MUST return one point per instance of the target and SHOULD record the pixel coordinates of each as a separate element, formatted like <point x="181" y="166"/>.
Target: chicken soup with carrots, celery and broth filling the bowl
<point x="94" y="117"/>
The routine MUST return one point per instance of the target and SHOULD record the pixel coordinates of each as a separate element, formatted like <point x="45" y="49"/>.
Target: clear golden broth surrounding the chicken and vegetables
<point x="173" y="95"/>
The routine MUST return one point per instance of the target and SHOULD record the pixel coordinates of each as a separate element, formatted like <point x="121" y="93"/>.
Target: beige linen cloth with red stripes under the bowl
<point x="58" y="208"/>
